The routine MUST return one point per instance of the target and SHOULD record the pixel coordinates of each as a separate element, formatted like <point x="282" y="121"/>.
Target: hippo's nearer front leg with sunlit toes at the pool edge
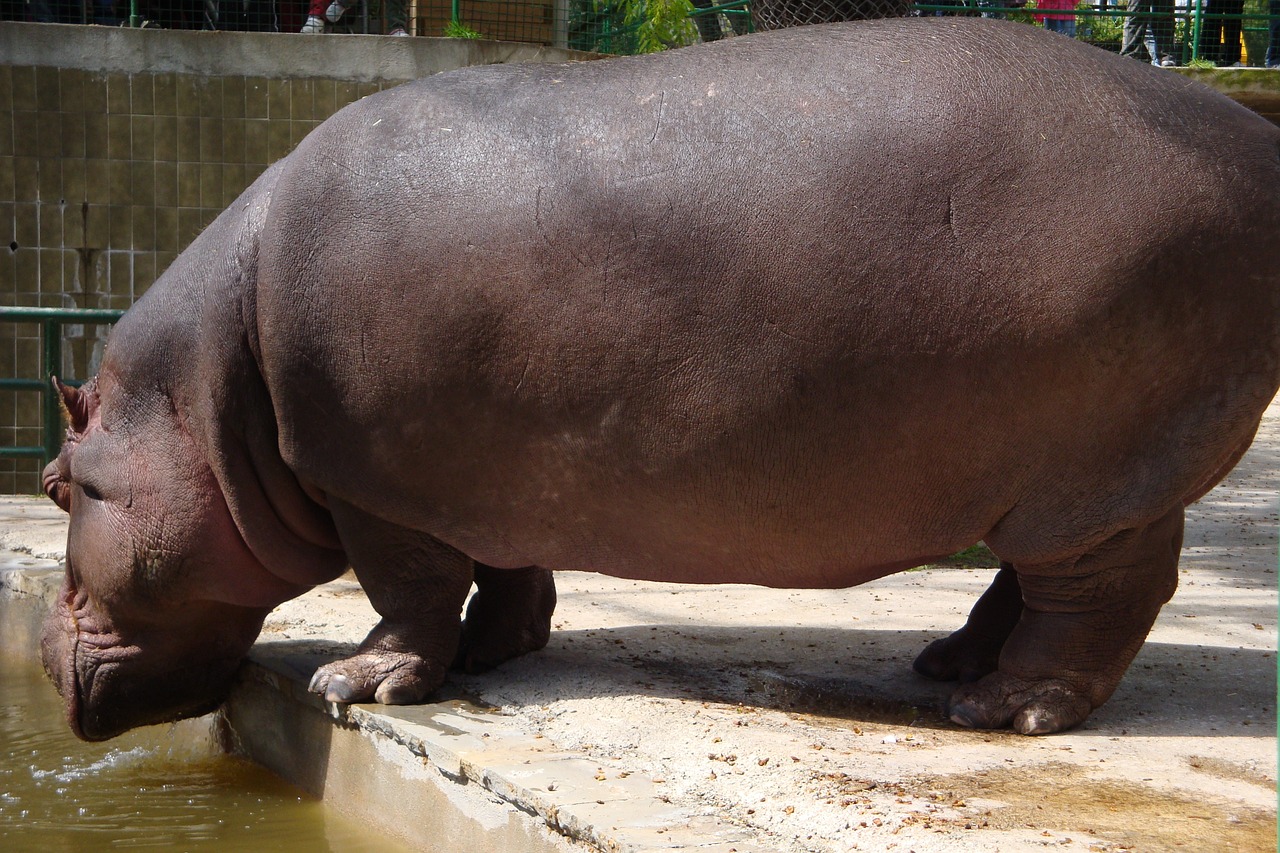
<point x="418" y="586"/>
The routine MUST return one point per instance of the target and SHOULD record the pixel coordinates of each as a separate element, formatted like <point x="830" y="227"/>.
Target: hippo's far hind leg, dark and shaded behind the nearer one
<point x="973" y="651"/>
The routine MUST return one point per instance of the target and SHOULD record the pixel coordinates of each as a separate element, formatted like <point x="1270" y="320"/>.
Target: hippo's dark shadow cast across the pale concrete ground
<point x="860" y="677"/>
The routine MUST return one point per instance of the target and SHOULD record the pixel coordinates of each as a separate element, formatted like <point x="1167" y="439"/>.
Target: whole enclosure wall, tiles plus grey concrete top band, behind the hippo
<point x="118" y="147"/>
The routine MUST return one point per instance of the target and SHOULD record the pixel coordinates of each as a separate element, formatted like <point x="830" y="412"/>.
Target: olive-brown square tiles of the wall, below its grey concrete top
<point x="104" y="179"/>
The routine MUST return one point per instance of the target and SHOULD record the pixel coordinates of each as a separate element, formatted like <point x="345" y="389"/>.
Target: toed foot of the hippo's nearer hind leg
<point x="1031" y="706"/>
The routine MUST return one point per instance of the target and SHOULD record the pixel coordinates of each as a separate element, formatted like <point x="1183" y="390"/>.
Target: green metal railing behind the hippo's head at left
<point x="51" y="363"/>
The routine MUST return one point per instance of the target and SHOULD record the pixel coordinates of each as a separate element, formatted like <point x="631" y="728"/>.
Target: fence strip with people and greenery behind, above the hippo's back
<point x="1226" y="33"/>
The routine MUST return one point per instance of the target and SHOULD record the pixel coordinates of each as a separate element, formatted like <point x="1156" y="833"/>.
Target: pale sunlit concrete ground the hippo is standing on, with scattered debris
<point x="742" y="719"/>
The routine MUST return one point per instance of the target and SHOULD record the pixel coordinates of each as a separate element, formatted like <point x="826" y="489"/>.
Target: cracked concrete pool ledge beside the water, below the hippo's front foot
<point x="454" y="770"/>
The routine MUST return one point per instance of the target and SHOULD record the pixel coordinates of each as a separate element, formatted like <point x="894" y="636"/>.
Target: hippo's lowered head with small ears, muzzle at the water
<point x="162" y="597"/>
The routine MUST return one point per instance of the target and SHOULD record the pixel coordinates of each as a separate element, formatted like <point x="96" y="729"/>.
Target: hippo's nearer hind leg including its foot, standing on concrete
<point x="1082" y="624"/>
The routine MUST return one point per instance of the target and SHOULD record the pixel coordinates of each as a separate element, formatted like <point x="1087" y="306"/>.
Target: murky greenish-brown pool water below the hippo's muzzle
<point x="164" y="788"/>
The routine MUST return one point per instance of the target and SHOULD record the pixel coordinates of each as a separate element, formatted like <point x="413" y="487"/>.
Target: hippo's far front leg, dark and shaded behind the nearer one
<point x="509" y="615"/>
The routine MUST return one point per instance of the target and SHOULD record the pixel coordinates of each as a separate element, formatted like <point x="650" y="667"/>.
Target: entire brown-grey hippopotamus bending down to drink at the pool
<point x="798" y="309"/>
